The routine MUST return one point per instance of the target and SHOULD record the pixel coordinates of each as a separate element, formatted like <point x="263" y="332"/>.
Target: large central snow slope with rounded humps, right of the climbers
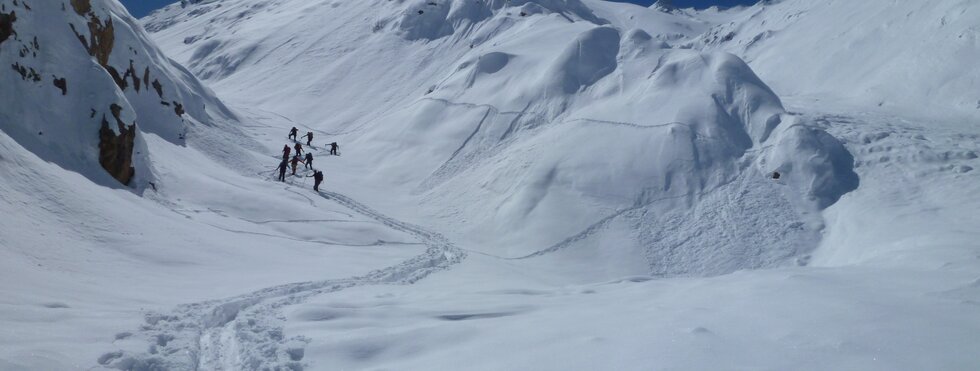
<point x="535" y="126"/>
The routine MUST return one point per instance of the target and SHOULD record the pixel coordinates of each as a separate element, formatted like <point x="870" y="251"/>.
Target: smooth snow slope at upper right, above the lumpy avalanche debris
<point x="904" y="56"/>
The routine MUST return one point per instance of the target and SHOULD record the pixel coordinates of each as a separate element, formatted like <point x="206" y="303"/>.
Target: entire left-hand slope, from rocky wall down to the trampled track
<point x="83" y="259"/>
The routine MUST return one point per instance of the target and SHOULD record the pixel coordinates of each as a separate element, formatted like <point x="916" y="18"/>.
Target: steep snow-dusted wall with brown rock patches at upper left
<point x="86" y="84"/>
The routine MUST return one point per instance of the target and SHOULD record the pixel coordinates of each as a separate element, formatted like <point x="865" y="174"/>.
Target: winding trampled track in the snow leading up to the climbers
<point x="245" y="332"/>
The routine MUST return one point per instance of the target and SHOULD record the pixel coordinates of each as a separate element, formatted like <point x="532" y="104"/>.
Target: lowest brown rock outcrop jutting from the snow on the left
<point x="116" y="150"/>
